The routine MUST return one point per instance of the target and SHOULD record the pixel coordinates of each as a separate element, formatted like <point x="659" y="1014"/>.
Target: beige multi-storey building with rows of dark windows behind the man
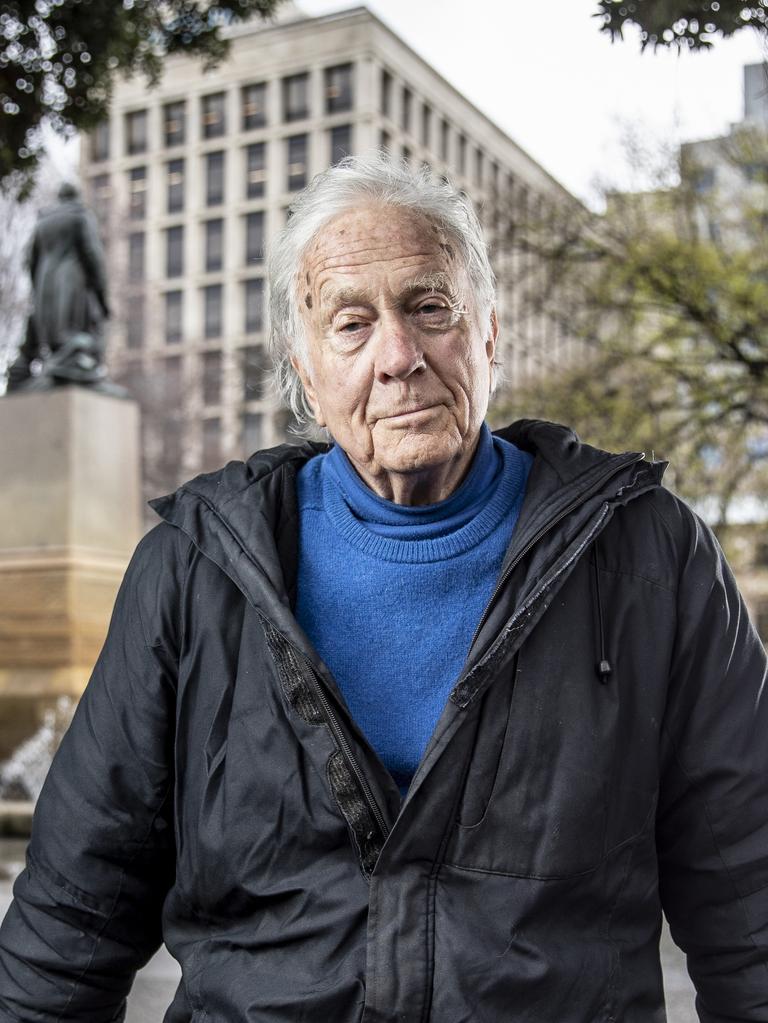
<point x="193" y="180"/>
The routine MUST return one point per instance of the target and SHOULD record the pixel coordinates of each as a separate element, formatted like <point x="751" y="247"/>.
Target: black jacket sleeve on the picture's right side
<point x="713" y="816"/>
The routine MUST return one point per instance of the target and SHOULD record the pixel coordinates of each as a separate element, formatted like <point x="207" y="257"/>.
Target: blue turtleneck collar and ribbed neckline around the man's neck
<point x="434" y="532"/>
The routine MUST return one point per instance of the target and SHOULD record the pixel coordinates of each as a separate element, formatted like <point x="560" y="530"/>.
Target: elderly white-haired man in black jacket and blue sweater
<point x="428" y="725"/>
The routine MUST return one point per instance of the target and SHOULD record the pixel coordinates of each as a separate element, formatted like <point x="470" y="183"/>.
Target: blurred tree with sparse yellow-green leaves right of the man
<point x="668" y="296"/>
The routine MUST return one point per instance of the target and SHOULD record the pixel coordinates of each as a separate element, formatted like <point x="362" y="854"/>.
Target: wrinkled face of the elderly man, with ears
<point x="398" y="367"/>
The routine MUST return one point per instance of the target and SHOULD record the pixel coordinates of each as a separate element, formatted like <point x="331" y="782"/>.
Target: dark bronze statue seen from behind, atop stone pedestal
<point x="65" y="340"/>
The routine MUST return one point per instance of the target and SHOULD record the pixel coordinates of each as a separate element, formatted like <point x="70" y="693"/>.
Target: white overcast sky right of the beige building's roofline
<point x="559" y="87"/>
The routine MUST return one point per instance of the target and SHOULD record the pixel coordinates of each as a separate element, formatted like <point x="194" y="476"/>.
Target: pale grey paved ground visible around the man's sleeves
<point x="157" y="983"/>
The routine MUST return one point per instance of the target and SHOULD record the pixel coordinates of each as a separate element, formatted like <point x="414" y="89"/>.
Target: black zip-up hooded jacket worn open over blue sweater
<point x="604" y="755"/>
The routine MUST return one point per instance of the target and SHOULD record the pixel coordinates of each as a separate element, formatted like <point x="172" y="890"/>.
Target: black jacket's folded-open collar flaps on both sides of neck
<point x="246" y="518"/>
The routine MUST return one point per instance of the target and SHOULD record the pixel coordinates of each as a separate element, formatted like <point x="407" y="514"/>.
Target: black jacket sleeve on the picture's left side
<point x="86" y="913"/>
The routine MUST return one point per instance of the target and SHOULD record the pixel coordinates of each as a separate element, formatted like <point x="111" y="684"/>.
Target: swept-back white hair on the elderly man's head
<point x="358" y="181"/>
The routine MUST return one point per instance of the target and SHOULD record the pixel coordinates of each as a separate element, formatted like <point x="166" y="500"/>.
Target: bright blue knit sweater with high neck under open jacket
<point x="391" y="595"/>
